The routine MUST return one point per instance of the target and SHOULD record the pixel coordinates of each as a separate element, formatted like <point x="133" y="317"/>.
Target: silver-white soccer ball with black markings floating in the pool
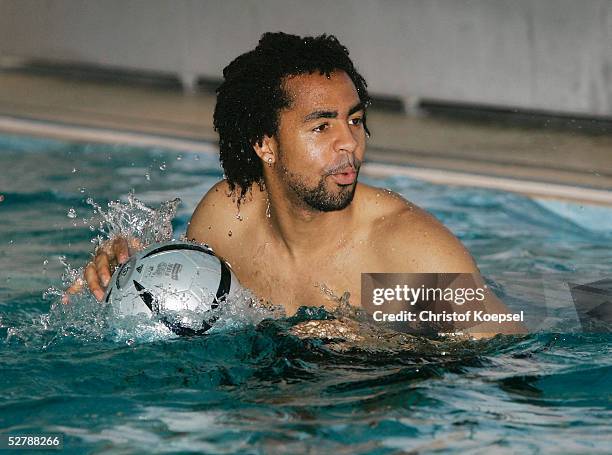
<point x="167" y="280"/>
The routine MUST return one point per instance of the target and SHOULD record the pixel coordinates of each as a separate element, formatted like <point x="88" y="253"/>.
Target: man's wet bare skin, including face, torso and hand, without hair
<point x="314" y="226"/>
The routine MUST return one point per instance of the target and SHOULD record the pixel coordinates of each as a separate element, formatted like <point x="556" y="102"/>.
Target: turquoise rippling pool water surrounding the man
<point x="257" y="389"/>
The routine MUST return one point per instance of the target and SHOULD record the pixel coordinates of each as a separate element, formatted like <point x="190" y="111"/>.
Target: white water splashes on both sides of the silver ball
<point x="86" y="320"/>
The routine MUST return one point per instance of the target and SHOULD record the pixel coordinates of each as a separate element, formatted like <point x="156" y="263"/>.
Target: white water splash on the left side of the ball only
<point x="84" y="318"/>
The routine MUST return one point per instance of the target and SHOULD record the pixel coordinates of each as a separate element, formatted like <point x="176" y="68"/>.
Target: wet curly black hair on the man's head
<point x="251" y="96"/>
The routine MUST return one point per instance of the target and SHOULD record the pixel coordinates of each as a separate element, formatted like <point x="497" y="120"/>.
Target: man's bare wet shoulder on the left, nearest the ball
<point x="218" y="220"/>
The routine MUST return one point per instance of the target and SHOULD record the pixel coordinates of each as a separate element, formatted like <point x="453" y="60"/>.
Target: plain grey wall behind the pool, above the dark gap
<point x="553" y="55"/>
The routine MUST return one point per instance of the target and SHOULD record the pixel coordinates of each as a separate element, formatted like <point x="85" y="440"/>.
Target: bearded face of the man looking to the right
<point x="321" y="140"/>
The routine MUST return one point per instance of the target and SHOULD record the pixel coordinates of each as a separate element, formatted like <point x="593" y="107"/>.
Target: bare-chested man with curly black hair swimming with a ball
<point x="290" y="216"/>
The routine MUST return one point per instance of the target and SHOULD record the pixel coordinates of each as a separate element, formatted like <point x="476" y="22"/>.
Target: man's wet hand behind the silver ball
<point x="98" y="272"/>
